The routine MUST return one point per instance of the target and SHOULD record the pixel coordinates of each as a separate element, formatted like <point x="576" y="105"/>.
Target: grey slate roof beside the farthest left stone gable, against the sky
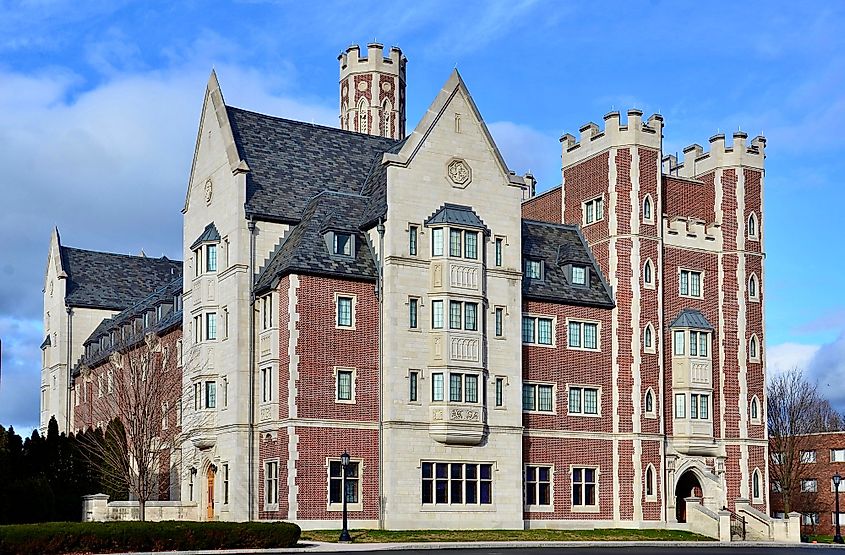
<point x="113" y="281"/>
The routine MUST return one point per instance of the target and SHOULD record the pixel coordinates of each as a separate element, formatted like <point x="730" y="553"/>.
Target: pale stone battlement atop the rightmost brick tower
<point x="697" y="161"/>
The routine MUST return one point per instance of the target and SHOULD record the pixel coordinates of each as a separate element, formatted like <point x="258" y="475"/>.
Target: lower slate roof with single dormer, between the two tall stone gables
<point x="304" y="249"/>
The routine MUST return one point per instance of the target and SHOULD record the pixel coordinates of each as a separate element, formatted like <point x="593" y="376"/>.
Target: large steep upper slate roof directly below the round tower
<point x="291" y="161"/>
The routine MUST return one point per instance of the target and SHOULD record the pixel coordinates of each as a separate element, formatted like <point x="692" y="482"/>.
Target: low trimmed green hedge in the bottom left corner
<point x="56" y="538"/>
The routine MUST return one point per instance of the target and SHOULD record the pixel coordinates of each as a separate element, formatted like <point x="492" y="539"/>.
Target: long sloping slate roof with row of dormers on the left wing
<point x="170" y="319"/>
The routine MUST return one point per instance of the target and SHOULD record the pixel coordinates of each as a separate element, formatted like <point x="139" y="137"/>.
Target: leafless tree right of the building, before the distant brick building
<point x="795" y="410"/>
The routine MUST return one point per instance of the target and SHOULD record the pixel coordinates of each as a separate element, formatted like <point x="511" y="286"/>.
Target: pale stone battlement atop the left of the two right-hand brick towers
<point x="594" y="140"/>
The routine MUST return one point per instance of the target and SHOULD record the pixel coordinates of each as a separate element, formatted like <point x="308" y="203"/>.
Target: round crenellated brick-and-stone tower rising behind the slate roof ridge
<point x="372" y="91"/>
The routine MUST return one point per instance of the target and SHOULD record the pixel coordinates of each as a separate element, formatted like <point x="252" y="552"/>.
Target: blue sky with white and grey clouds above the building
<point x="99" y="104"/>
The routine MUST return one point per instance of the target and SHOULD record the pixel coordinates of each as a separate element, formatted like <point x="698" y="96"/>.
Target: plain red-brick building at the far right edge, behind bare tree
<point x="822" y="455"/>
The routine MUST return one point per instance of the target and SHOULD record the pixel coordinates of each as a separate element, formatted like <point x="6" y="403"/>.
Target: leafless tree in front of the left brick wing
<point x="137" y="389"/>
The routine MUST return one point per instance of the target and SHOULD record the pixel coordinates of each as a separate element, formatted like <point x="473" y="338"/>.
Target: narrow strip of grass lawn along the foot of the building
<point x="389" y="536"/>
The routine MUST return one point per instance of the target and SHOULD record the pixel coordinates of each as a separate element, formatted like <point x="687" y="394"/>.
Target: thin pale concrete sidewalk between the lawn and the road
<point x="326" y="547"/>
